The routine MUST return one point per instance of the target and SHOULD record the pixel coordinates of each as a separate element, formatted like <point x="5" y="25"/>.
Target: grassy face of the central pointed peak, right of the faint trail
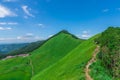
<point x="53" y="50"/>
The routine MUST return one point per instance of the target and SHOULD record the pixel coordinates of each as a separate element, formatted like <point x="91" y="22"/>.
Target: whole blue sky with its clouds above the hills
<point x="32" y="20"/>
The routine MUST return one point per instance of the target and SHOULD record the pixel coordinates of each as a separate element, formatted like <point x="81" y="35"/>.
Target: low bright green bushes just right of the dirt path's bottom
<point x="99" y="72"/>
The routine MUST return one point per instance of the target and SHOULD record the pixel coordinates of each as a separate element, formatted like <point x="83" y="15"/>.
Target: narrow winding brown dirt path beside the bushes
<point x="92" y="60"/>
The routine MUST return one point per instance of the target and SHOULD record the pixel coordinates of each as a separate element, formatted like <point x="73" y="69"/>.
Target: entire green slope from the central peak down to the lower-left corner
<point x="23" y="68"/>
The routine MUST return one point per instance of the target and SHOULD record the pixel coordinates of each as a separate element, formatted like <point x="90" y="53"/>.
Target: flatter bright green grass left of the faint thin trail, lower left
<point x="15" y="69"/>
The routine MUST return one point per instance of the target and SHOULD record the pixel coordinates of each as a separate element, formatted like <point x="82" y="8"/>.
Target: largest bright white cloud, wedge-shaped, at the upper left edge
<point x="5" y="12"/>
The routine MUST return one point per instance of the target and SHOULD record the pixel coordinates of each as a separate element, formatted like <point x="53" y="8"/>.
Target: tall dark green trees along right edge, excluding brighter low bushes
<point x="110" y="51"/>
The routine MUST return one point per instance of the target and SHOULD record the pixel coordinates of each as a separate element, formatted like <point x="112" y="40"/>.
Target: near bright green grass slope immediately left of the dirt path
<point x="70" y="67"/>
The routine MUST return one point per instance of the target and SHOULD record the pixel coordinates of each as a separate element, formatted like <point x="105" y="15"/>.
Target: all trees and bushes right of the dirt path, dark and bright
<point x="108" y="64"/>
